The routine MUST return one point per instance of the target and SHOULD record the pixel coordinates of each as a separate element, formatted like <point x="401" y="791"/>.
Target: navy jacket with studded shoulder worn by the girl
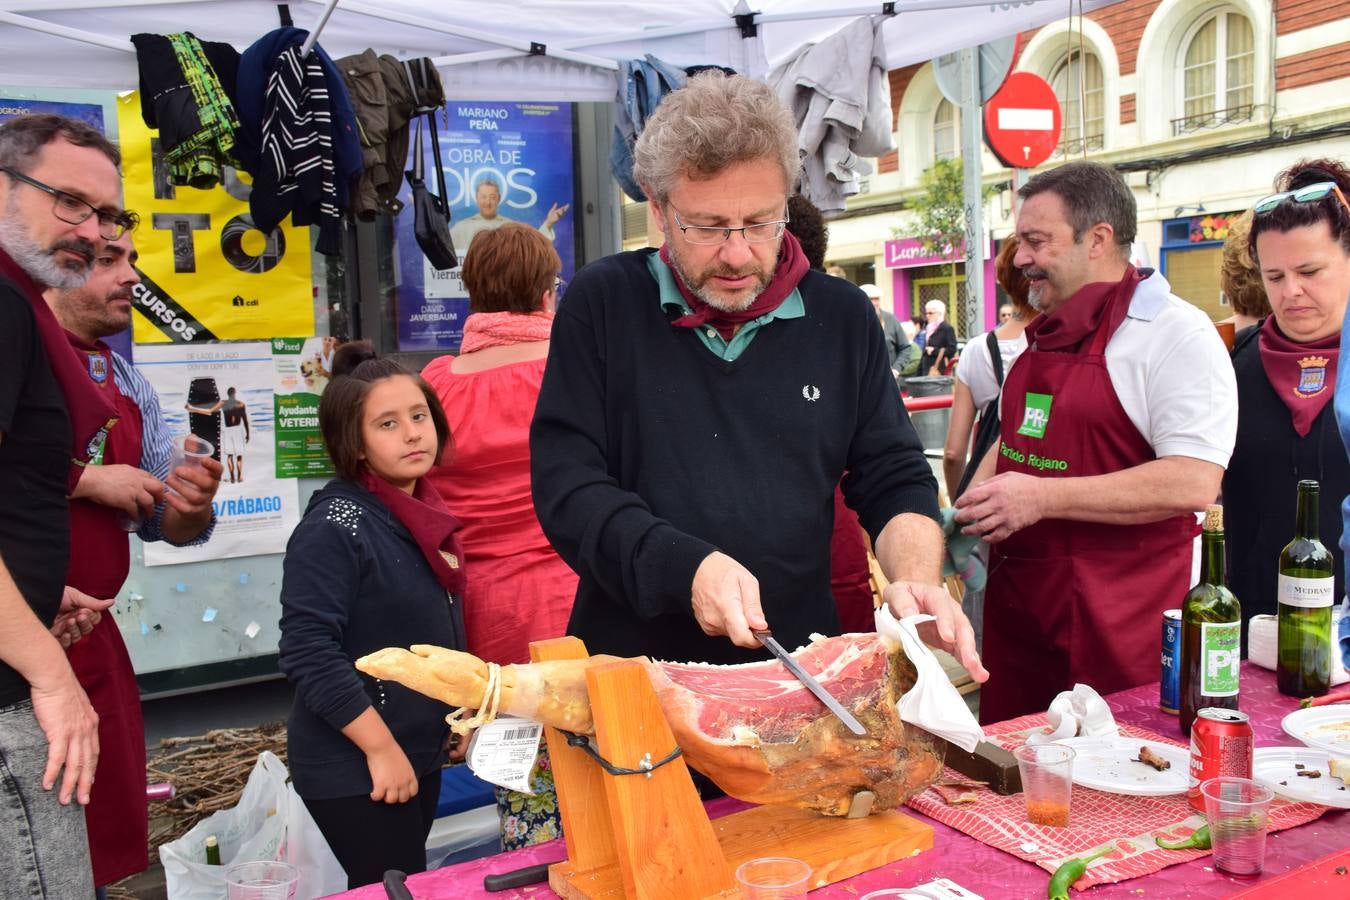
<point x="356" y="582"/>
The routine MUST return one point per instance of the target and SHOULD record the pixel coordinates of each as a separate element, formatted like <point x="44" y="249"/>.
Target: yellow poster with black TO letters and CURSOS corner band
<point x="207" y="272"/>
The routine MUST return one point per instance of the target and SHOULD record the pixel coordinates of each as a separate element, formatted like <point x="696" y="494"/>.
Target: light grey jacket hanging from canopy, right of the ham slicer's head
<point x="840" y="95"/>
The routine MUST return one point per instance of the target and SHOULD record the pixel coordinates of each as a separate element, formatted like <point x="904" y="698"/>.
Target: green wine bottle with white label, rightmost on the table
<point x="1307" y="593"/>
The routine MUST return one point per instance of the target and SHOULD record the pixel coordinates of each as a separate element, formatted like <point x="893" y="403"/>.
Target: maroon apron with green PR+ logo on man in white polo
<point x="1074" y="601"/>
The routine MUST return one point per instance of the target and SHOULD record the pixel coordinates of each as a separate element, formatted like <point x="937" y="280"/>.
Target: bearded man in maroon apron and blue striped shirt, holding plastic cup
<point x="136" y="470"/>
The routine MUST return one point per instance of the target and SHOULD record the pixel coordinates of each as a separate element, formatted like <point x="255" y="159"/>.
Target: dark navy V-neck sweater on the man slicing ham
<point x="649" y="453"/>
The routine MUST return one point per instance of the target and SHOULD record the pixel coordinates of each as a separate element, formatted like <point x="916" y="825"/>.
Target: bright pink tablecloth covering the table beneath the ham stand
<point x="977" y="867"/>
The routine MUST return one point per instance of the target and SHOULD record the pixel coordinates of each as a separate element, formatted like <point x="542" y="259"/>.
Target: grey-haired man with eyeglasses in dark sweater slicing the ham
<point x="703" y="403"/>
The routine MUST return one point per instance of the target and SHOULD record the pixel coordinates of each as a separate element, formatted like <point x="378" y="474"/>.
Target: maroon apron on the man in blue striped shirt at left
<point x="101" y="558"/>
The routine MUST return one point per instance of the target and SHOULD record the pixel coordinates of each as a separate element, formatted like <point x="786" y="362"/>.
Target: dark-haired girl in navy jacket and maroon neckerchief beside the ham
<point x="373" y="563"/>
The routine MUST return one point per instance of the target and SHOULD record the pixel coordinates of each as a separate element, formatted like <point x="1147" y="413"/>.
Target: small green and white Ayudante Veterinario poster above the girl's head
<point x="303" y="368"/>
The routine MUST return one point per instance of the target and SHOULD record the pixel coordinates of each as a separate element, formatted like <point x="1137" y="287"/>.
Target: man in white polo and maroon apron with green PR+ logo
<point x="1117" y="424"/>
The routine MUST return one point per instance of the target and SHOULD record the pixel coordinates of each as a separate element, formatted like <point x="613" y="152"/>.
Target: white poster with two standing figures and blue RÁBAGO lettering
<point x="223" y="393"/>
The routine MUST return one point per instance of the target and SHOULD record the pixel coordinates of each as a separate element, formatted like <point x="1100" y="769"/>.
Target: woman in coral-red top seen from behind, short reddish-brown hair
<point x="519" y="589"/>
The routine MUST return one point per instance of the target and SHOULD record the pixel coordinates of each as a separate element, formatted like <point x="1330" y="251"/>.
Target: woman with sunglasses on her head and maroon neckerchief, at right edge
<point x="1287" y="376"/>
